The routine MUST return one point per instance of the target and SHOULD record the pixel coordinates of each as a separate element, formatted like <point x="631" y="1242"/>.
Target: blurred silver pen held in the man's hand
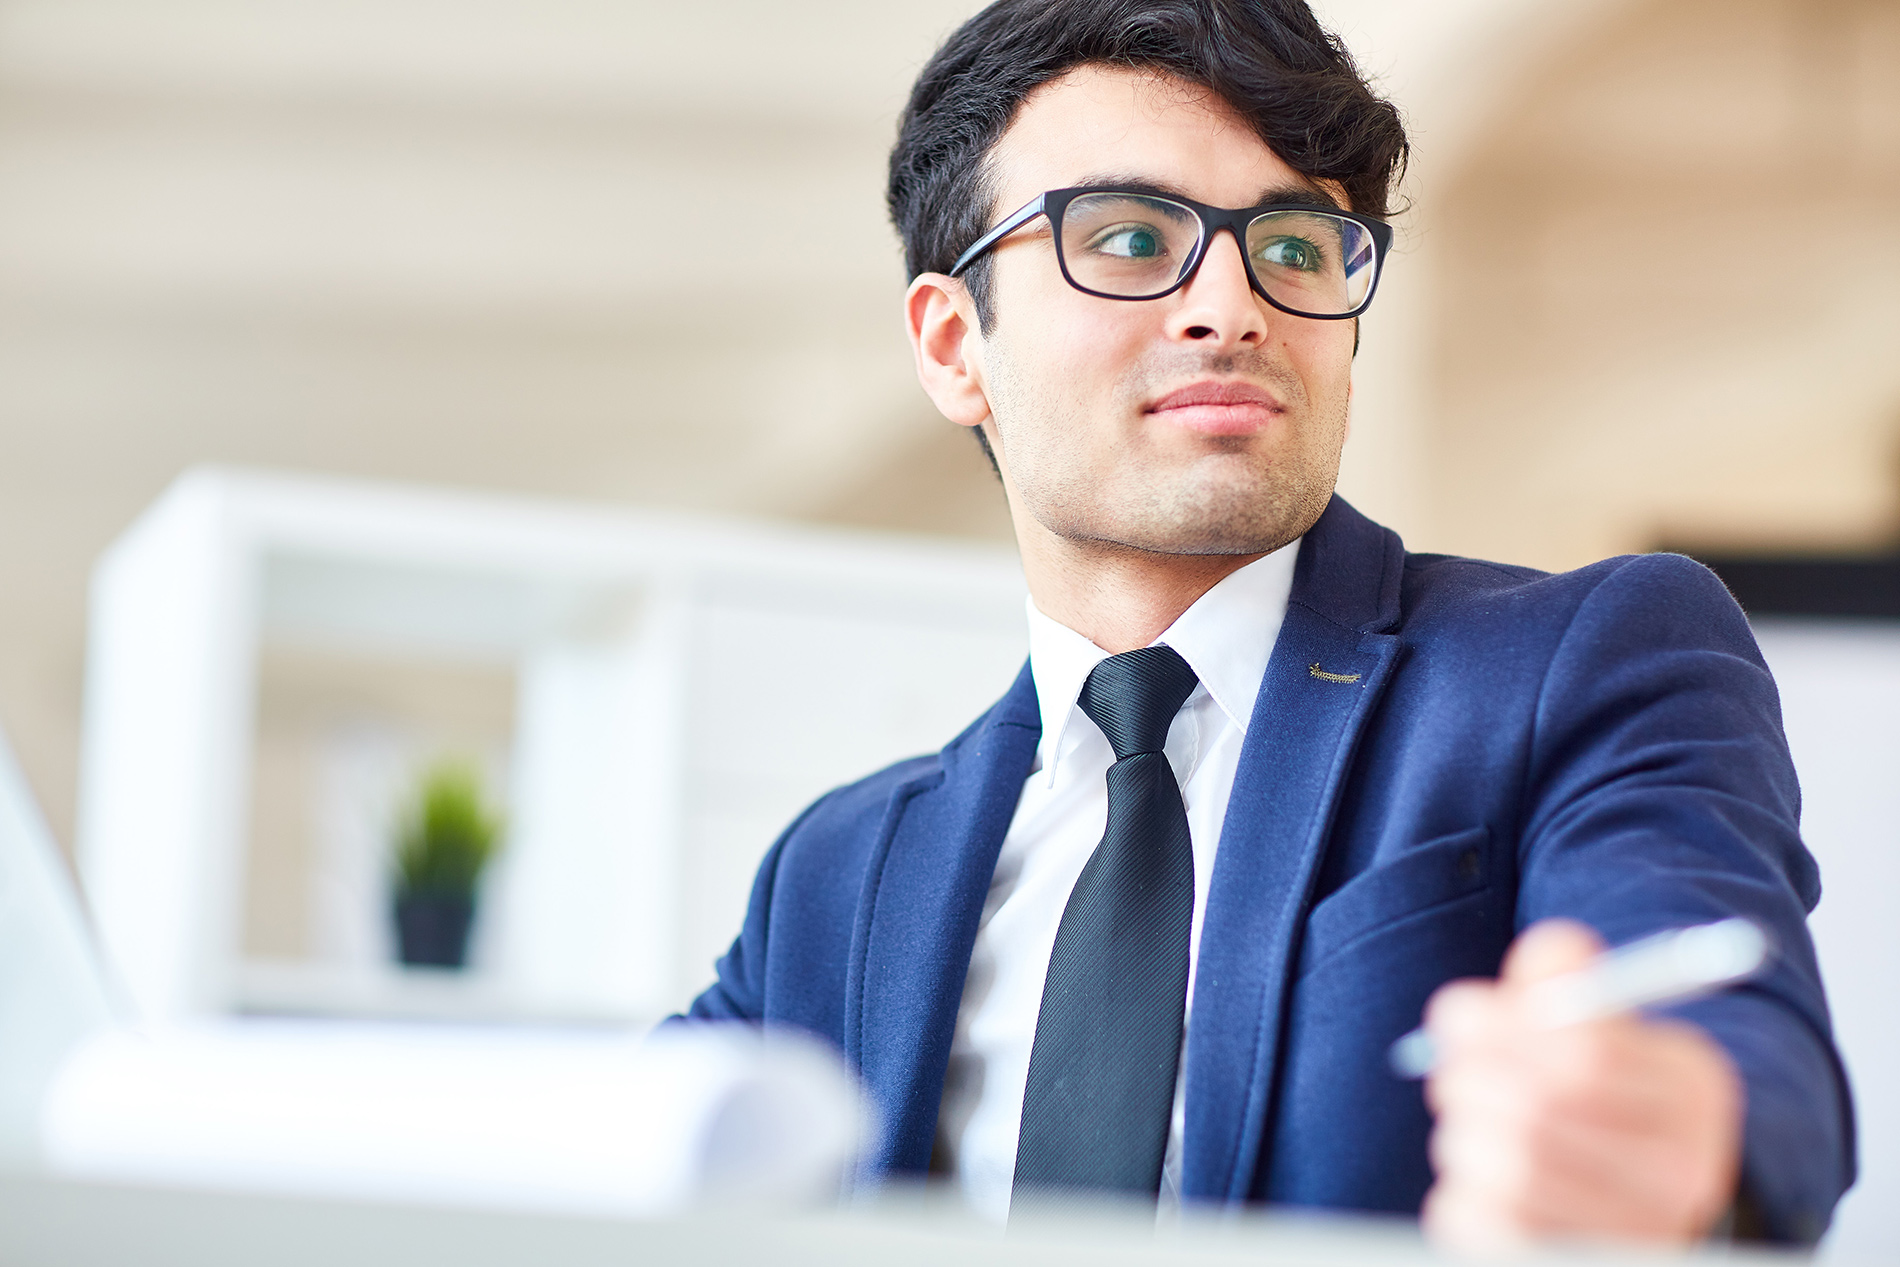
<point x="1669" y="968"/>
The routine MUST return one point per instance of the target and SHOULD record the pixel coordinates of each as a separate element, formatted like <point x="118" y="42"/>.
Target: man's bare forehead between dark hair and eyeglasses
<point x="1137" y="124"/>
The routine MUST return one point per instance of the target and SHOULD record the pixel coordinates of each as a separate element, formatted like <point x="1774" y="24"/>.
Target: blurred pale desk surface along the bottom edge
<point x="64" y="1224"/>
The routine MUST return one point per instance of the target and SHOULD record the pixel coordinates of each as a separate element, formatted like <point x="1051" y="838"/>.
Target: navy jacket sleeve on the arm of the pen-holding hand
<point x="1662" y="795"/>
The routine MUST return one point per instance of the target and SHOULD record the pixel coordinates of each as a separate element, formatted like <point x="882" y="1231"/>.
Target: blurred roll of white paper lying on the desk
<point x="480" y="1118"/>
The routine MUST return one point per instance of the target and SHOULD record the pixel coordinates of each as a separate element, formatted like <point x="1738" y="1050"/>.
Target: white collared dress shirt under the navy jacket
<point x="1226" y="637"/>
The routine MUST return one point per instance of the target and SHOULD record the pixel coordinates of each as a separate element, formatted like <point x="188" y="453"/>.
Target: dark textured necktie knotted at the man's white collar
<point x="1101" y="1093"/>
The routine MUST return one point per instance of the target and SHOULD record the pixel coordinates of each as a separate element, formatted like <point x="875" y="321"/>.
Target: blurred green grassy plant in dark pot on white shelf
<point x="444" y="842"/>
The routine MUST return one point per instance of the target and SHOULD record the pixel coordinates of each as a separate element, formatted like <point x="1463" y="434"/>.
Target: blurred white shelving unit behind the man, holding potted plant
<point x="683" y="689"/>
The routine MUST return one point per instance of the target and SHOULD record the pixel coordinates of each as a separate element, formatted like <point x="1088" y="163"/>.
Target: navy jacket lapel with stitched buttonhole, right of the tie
<point x="1323" y="681"/>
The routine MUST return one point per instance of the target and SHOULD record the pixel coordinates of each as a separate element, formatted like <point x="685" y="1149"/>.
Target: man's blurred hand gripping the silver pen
<point x="1622" y="1129"/>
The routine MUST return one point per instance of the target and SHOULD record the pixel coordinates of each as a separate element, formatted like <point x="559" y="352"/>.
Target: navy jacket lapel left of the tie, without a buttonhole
<point x="917" y="922"/>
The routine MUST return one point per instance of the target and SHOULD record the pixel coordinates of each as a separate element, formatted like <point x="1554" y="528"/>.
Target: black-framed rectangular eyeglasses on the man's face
<point x="1139" y="246"/>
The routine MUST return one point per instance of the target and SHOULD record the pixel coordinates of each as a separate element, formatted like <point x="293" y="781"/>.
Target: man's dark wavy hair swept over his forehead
<point x="1270" y="60"/>
